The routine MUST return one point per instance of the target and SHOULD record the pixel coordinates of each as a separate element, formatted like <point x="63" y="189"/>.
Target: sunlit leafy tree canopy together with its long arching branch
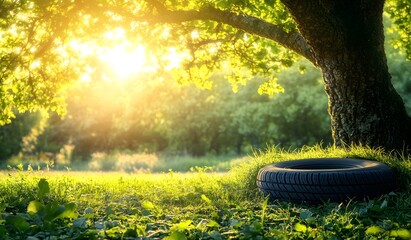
<point x="39" y="56"/>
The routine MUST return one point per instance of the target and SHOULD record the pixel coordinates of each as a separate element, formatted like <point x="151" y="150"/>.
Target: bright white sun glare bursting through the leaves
<point x="123" y="59"/>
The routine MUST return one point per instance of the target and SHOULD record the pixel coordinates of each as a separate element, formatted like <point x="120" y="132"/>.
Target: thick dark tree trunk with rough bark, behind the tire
<point x="363" y="105"/>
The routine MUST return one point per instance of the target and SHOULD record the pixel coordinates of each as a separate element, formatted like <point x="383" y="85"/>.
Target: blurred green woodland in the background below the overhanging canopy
<point x="143" y="116"/>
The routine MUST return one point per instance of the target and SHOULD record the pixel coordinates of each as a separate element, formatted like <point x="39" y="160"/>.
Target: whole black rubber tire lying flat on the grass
<point x="323" y="179"/>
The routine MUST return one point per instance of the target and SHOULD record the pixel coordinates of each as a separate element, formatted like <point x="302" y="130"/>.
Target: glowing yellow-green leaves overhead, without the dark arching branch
<point x="39" y="57"/>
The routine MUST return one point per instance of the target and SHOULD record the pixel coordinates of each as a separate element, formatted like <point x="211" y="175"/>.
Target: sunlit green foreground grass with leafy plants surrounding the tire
<point x="194" y="205"/>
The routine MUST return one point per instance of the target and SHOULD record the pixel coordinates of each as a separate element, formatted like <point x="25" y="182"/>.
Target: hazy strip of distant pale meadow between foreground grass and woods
<point x="129" y="162"/>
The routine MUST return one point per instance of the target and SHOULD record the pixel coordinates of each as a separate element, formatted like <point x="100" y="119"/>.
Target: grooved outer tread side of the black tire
<point x="314" y="186"/>
